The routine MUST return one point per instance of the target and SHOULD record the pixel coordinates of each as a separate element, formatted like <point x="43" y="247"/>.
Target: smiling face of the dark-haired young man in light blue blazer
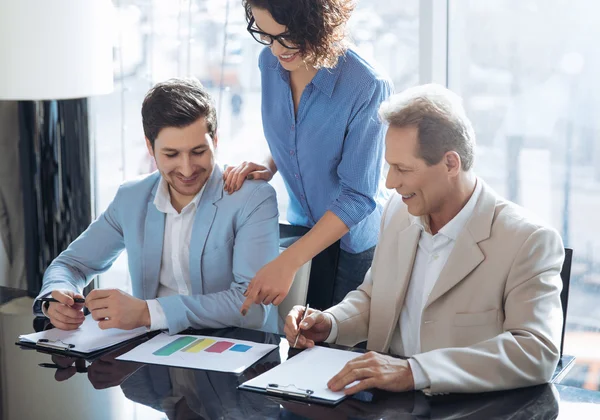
<point x="185" y="157"/>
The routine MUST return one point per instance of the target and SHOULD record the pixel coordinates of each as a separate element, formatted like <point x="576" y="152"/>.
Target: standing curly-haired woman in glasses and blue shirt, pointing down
<point x="320" y="104"/>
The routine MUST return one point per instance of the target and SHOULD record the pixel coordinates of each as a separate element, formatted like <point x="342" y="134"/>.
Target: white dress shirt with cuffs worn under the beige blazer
<point x="432" y="253"/>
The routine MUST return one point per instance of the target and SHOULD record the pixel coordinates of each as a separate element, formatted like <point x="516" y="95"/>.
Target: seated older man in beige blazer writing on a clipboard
<point x="464" y="283"/>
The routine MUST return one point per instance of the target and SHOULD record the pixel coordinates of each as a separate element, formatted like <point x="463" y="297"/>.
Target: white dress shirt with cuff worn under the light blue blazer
<point x="174" y="276"/>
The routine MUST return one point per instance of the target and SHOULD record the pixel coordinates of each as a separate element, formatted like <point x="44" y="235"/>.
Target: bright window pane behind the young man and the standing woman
<point x="159" y="39"/>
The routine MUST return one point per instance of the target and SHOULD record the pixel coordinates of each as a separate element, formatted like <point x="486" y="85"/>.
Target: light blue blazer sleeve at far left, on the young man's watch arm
<point x="92" y="253"/>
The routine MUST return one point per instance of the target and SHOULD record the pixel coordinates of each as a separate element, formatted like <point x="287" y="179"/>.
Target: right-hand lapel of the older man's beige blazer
<point x="467" y="255"/>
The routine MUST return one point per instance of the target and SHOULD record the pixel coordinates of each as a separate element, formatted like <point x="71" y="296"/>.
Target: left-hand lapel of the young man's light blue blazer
<point x="154" y="231"/>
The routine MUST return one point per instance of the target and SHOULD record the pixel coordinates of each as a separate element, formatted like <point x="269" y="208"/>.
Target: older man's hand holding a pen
<point x="305" y="326"/>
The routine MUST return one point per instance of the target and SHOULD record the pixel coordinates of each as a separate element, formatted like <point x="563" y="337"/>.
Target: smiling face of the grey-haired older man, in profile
<point x="424" y="188"/>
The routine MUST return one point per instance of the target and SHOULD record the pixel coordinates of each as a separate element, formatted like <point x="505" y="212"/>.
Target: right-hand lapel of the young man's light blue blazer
<point x="205" y="215"/>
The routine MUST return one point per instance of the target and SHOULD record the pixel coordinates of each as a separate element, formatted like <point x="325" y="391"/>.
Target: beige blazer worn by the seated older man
<point x="493" y="320"/>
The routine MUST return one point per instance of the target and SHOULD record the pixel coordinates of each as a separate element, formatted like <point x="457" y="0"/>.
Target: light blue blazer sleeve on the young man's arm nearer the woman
<point x="256" y="243"/>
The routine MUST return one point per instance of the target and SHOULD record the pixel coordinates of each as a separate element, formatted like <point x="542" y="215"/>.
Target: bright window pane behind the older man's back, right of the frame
<point x="528" y="73"/>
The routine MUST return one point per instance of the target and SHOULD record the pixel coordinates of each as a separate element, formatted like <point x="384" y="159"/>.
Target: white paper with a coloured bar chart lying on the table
<point x="199" y="352"/>
